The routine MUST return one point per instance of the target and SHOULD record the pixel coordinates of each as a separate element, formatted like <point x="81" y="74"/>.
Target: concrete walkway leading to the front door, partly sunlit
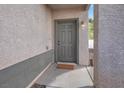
<point x="61" y="78"/>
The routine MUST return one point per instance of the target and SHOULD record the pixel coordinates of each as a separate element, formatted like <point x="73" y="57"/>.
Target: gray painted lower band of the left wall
<point x="21" y="74"/>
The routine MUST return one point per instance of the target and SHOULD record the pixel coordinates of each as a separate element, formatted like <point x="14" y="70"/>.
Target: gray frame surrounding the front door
<point x="77" y="37"/>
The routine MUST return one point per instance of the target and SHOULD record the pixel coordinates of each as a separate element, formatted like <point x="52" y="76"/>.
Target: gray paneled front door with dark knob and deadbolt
<point x="66" y="41"/>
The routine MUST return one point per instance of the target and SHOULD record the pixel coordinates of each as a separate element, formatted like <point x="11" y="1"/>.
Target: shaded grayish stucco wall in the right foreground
<point x="110" y="47"/>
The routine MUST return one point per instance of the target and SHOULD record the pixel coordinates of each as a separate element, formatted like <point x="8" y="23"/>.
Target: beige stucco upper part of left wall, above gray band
<point x="25" y="31"/>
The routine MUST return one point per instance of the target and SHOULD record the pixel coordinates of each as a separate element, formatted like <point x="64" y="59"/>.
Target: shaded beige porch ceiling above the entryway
<point x="68" y="6"/>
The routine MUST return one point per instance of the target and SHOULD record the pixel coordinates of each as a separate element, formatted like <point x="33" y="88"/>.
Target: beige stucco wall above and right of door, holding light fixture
<point x="83" y="33"/>
